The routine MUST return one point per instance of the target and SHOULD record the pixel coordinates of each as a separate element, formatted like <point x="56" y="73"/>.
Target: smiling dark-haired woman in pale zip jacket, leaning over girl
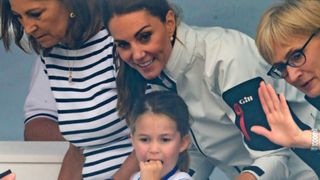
<point x="199" y="64"/>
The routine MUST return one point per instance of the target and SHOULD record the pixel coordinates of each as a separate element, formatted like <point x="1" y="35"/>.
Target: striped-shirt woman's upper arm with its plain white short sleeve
<point x="40" y="109"/>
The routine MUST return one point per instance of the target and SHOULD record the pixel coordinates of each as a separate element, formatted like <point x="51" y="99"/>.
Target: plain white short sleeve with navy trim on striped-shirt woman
<point x="39" y="101"/>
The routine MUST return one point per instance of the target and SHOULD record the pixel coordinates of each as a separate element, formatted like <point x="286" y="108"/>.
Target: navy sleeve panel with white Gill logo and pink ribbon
<point x="244" y="101"/>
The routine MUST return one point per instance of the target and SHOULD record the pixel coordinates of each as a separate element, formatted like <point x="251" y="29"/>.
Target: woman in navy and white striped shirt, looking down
<point x="73" y="88"/>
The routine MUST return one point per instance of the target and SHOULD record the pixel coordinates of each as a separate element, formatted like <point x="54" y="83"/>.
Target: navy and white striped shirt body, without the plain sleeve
<point x="86" y="107"/>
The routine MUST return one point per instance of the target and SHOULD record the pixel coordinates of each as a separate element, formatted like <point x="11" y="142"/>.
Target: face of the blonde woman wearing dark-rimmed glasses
<point x="307" y="77"/>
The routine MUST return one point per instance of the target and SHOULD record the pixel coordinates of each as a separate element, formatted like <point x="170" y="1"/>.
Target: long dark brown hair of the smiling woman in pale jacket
<point x="130" y="84"/>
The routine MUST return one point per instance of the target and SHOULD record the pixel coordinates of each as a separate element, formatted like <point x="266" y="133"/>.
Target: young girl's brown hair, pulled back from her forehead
<point x="166" y="103"/>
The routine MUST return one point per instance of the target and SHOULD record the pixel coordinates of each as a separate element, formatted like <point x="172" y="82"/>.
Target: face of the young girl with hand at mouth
<point x="156" y="138"/>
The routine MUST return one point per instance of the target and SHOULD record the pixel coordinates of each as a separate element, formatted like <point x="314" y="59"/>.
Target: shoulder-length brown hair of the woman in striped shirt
<point x="81" y="28"/>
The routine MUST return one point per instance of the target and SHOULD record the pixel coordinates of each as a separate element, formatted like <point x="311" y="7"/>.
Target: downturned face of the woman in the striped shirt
<point x="44" y="20"/>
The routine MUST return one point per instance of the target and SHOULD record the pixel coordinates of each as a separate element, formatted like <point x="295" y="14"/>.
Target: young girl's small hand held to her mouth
<point x="150" y="170"/>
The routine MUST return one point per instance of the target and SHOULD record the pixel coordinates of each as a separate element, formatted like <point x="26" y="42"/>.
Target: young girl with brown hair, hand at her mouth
<point x="159" y="125"/>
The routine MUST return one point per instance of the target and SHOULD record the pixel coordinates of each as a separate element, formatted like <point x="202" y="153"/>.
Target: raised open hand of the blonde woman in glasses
<point x="284" y="131"/>
